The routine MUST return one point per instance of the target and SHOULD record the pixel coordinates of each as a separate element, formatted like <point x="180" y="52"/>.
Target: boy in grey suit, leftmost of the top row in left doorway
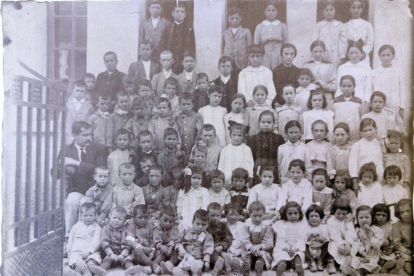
<point x="152" y="28"/>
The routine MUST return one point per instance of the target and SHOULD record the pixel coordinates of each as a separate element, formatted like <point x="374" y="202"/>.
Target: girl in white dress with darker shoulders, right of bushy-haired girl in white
<point x="348" y="108"/>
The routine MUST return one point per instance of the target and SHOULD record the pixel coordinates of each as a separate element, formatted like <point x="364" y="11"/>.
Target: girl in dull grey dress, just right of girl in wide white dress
<point x="322" y="195"/>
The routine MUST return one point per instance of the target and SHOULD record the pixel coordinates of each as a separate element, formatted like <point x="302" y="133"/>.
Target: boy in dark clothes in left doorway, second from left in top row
<point x="179" y="37"/>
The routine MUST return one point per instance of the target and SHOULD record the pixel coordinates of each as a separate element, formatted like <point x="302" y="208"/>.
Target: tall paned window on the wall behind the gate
<point x="67" y="40"/>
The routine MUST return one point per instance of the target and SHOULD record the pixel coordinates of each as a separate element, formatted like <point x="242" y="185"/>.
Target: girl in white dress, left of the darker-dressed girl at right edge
<point x="366" y="150"/>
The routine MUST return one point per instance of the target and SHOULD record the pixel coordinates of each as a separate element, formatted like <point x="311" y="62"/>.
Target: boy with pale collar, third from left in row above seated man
<point x="119" y="118"/>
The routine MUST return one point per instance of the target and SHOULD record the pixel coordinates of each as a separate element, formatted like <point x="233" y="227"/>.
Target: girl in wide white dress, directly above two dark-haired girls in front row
<point x="297" y="189"/>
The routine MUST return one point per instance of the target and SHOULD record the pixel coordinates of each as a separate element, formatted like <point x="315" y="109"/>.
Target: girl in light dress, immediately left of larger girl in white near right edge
<point x="338" y="153"/>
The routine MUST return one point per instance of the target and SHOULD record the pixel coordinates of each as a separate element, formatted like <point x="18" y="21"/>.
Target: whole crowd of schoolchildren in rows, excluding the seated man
<point x="269" y="166"/>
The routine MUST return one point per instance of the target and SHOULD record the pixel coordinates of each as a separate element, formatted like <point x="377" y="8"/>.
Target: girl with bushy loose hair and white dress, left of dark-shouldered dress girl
<point x="316" y="104"/>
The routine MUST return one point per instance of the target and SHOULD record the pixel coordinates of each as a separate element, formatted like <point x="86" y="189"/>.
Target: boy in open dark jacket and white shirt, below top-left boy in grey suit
<point x="144" y="68"/>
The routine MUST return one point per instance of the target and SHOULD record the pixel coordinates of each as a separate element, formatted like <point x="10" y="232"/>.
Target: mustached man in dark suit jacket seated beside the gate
<point x="81" y="159"/>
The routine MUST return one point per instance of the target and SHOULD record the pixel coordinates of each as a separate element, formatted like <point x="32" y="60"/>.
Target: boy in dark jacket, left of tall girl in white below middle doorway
<point x="227" y="79"/>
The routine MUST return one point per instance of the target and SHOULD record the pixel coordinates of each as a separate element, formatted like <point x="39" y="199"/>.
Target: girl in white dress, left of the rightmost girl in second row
<point x="361" y="73"/>
